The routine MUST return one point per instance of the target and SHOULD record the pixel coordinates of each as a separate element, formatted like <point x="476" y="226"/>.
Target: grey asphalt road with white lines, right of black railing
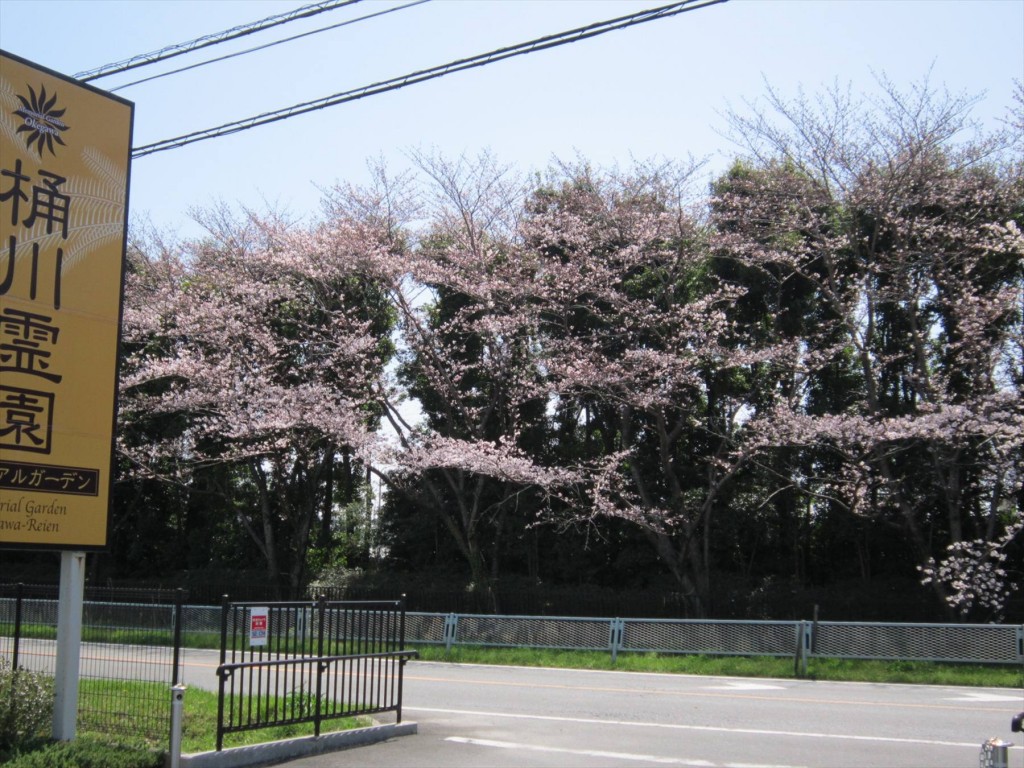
<point x="522" y="718"/>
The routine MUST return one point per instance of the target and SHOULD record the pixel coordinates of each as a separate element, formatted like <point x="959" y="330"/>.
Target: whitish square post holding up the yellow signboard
<point x="69" y="645"/>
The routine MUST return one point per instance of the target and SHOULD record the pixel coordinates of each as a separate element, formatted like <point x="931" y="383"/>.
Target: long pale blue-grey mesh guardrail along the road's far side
<point x="971" y="644"/>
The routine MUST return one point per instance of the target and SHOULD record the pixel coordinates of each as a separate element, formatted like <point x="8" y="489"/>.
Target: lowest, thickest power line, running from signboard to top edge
<point x="550" y="41"/>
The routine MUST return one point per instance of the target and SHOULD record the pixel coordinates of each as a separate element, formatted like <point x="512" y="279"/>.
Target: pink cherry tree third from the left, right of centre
<point x="643" y="356"/>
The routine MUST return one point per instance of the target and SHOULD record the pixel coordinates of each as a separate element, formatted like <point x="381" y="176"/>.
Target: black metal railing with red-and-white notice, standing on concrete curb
<point x="291" y="663"/>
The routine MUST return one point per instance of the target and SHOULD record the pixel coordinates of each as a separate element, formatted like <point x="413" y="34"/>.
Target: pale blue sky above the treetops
<point x="655" y="91"/>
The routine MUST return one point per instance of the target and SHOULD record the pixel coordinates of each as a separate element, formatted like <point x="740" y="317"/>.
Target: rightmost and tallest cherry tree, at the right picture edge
<point x="910" y="240"/>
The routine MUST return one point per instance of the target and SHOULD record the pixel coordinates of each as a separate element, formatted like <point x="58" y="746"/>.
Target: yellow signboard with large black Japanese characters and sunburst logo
<point x="65" y="160"/>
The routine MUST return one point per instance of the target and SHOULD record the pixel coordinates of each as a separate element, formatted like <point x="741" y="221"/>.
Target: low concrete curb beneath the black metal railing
<point x="275" y="752"/>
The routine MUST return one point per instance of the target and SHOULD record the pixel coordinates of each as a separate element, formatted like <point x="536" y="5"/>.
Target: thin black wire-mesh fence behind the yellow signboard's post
<point x="131" y="653"/>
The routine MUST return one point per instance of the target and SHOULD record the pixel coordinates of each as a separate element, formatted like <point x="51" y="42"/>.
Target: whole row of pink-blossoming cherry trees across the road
<point x="819" y="363"/>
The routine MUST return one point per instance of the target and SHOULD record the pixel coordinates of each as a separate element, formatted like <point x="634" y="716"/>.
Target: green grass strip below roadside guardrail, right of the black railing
<point x="922" y="673"/>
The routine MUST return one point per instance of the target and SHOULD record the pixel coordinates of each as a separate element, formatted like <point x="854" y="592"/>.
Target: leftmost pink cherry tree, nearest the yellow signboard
<point x="262" y="346"/>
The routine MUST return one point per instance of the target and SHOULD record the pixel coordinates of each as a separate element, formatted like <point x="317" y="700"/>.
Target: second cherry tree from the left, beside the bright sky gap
<point x="467" y="355"/>
